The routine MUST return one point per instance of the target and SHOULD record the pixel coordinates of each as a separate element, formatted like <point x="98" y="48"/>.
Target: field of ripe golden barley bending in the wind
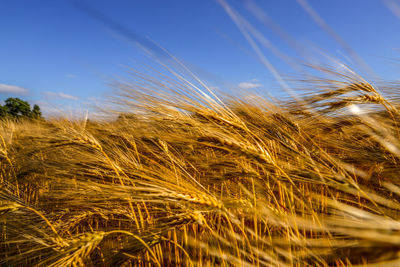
<point x="183" y="177"/>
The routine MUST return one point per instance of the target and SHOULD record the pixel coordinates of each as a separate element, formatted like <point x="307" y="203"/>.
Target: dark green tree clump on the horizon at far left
<point x="17" y="108"/>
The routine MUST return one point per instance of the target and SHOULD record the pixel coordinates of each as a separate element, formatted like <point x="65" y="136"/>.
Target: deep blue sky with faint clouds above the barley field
<point x="55" y="53"/>
